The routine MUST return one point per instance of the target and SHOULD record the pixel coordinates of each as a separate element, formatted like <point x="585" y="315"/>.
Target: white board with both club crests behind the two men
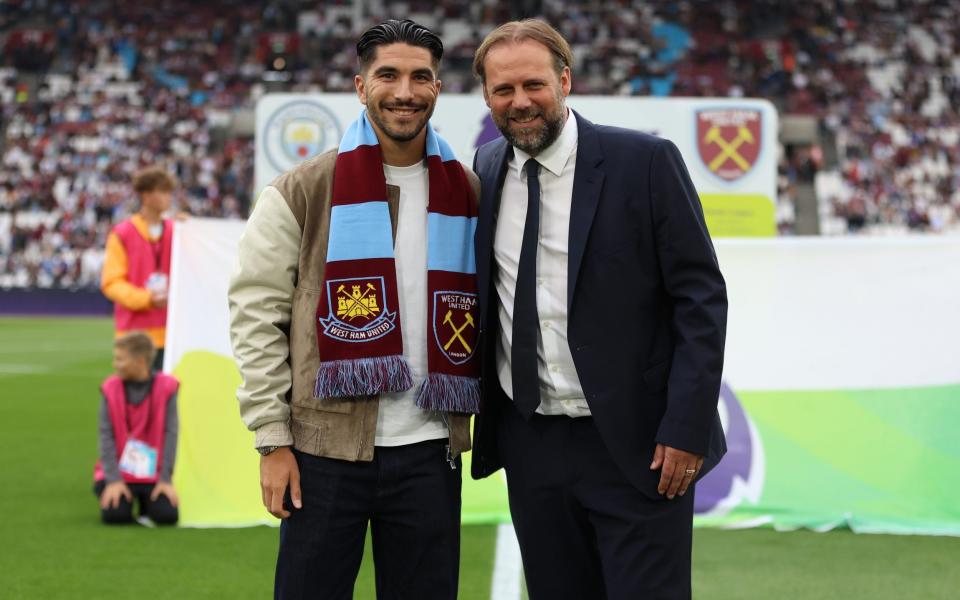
<point x="729" y="145"/>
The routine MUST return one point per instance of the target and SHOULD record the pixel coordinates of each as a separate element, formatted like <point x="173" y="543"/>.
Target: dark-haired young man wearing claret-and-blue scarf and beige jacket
<point x="354" y="325"/>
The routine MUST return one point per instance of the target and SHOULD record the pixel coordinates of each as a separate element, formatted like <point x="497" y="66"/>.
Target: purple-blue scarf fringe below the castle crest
<point x="363" y="377"/>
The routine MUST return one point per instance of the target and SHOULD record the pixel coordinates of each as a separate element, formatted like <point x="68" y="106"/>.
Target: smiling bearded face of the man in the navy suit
<point x="527" y="98"/>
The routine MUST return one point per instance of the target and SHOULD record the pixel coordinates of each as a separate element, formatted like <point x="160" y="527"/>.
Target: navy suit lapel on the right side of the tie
<point x="587" y="184"/>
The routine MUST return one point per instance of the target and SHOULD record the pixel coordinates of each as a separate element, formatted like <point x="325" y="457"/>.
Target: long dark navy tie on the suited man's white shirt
<point x="526" y="323"/>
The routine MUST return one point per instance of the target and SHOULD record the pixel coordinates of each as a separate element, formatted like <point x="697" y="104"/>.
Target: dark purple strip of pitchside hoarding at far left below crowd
<point x="54" y="302"/>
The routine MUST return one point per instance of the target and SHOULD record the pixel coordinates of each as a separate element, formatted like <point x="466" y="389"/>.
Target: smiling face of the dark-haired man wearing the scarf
<point x="399" y="89"/>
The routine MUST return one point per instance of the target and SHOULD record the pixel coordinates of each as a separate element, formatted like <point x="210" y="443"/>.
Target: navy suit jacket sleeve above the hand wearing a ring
<point x="692" y="278"/>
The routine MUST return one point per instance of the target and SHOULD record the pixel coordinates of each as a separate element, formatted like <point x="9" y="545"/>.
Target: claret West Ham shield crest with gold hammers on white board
<point x="729" y="140"/>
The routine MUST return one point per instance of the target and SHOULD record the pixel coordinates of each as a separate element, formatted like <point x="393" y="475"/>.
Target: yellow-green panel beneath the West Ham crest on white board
<point x="739" y="215"/>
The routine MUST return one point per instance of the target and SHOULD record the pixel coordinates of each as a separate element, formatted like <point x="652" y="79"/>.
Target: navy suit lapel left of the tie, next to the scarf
<point x="492" y="173"/>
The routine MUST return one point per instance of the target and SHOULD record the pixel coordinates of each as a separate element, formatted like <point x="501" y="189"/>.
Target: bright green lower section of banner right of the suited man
<point x="873" y="460"/>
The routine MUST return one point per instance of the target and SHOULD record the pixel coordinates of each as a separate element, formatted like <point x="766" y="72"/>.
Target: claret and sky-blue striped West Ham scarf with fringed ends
<point x="358" y="325"/>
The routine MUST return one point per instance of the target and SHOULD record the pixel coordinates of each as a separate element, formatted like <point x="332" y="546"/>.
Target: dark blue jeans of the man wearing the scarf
<point x="410" y="495"/>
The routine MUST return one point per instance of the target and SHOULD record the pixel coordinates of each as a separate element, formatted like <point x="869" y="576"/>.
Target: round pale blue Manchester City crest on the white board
<point x="298" y="131"/>
